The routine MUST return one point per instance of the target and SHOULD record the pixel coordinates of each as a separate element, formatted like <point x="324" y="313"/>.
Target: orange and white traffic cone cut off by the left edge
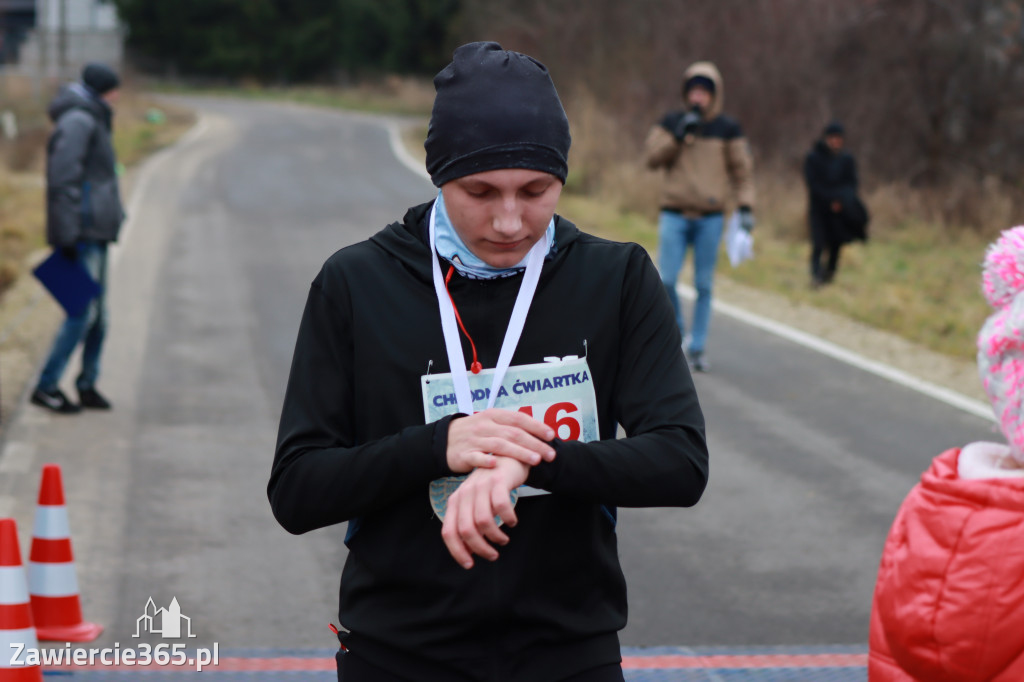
<point x="16" y="614"/>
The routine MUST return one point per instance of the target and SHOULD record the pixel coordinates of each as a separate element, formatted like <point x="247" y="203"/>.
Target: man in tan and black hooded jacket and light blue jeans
<point x="707" y="165"/>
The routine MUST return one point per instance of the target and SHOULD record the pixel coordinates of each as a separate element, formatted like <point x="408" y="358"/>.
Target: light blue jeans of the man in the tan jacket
<point x="675" y="233"/>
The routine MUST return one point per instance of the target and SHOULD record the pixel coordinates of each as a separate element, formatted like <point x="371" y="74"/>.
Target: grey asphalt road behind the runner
<point x="810" y="458"/>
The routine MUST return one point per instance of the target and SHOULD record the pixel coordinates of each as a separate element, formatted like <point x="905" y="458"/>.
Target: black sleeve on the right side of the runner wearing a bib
<point x="664" y="460"/>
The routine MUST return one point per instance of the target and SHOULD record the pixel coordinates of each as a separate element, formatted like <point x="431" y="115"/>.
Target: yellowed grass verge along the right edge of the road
<point x="918" y="280"/>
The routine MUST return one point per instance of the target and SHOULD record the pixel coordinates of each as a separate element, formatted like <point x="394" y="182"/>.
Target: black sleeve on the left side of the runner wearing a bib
<point x="321" y="476"/>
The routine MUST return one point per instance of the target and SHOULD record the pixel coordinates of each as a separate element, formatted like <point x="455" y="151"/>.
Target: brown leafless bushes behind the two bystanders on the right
<point x="932" y="92"/>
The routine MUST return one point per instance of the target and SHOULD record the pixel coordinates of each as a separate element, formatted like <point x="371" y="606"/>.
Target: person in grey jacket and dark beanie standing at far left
<point x="83" y="216"/>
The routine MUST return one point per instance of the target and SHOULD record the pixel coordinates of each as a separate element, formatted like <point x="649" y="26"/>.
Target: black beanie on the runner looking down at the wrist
<point x="495" y="110"/>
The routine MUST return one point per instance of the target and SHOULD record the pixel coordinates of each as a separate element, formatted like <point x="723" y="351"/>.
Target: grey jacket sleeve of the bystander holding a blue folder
<point x="65" y="170"/>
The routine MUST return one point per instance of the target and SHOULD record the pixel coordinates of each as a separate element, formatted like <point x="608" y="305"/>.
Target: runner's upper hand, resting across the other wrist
<point x="478" y="441"/>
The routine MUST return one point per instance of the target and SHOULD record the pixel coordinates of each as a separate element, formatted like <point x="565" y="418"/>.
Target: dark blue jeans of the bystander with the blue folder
<point x="89" y="328"/>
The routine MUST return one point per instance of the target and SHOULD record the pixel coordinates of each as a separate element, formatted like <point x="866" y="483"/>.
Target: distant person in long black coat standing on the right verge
<point x="836" y="215"/>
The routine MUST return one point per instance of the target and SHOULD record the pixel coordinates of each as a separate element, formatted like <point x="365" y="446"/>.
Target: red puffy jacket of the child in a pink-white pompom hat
<point x="950" y="600"/>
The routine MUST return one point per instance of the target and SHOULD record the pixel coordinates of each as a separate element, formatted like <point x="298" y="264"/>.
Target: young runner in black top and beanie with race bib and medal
<point x="455" y="394"/>
